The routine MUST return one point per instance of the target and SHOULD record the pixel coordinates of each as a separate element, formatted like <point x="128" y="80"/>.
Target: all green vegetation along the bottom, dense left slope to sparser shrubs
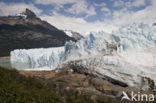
<point x="16" y="88"/>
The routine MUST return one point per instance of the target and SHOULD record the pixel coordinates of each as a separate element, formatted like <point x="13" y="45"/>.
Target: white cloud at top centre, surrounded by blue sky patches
<point x="78" y="6"/>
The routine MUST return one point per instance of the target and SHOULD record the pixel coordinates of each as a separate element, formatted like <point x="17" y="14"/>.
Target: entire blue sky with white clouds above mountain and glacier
<point x="85" y="15"/>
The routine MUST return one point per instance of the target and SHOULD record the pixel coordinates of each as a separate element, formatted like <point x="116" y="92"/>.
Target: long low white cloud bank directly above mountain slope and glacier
<point x="120" y="17"/>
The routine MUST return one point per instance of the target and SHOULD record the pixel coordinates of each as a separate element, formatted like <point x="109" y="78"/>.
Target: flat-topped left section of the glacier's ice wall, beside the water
<point x="45" y="59"/>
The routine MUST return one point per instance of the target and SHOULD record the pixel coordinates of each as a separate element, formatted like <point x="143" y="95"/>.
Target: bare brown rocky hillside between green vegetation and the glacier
<point x="98" y="89"/>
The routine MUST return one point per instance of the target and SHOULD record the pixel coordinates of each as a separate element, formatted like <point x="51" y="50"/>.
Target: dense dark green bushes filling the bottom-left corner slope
<point x="15" y="88"/>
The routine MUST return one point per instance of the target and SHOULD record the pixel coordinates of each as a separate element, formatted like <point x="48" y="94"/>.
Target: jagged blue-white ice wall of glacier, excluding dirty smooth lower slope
<point x="135" y="37"/>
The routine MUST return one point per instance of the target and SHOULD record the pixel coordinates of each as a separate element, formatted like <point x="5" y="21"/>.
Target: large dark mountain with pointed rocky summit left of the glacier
<point x="26" y="30"/>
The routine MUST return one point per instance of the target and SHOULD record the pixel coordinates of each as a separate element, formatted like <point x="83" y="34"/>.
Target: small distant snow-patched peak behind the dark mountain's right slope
<point x="75" y="35"/>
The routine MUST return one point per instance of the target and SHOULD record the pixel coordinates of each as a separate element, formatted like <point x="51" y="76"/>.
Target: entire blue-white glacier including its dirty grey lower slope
<point x="127" y="55"/>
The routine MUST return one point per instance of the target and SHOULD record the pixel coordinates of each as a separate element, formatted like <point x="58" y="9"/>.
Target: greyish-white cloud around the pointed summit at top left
<point x="14" y="8"/>
